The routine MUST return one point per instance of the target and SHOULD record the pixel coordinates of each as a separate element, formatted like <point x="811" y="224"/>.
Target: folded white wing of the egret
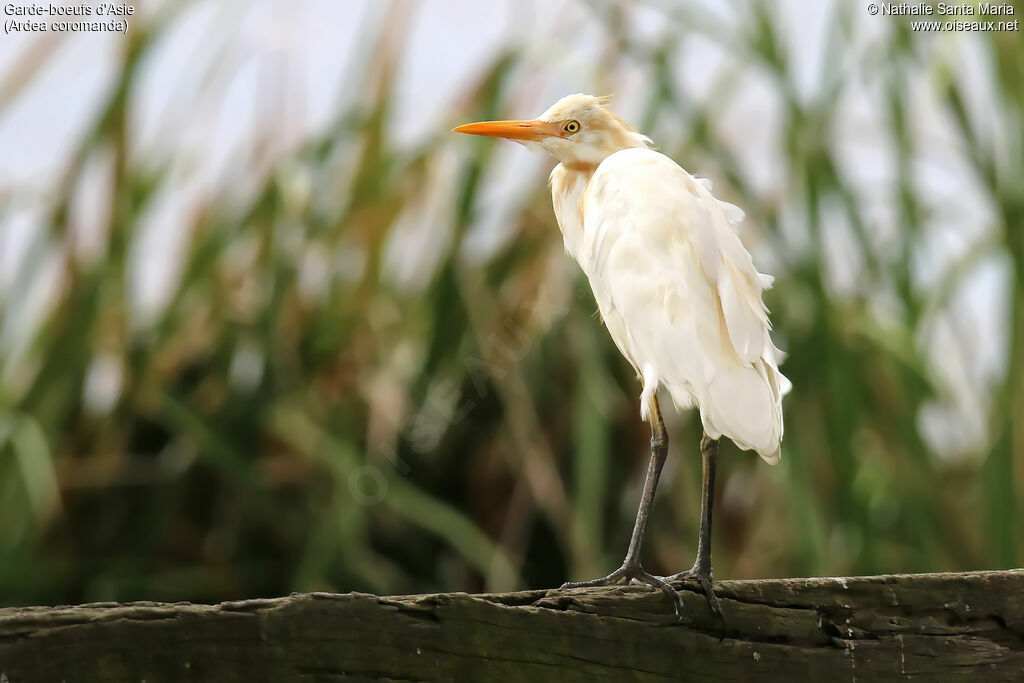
<point x="681" y="296"/>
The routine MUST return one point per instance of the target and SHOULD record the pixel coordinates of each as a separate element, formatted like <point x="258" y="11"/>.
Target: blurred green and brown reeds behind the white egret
<point x="296" y="420"/>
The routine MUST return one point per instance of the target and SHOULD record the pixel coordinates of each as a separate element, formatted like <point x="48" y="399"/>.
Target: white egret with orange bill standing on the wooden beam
<point x="676" y="289"/>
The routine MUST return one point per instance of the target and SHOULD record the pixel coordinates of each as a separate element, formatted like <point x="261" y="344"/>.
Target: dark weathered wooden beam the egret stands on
<point x="948" y="627"/>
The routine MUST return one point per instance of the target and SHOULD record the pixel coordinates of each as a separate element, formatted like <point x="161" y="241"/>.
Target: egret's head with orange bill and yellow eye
<point x="579" y="131"/>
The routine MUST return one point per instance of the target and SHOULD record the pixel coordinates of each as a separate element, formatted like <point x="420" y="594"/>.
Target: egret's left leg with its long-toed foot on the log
<point x="632" y="571"/>
